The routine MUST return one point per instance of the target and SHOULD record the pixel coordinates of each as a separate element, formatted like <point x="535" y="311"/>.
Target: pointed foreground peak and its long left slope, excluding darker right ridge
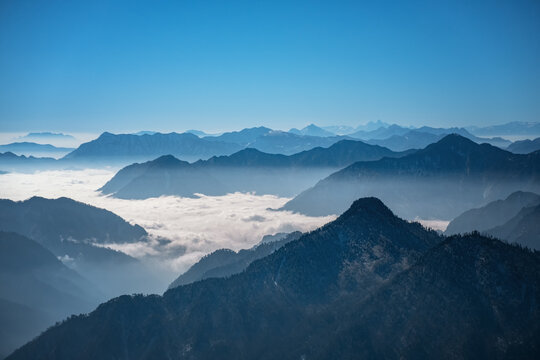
<point x="239" y="317"/>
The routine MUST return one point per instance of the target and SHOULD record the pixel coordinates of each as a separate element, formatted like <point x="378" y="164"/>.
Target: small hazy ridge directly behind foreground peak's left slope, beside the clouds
<point x="225" y="262"/>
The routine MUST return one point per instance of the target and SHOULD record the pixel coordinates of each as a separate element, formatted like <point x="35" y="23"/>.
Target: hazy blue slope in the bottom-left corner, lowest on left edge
<point x="36" y="291"/>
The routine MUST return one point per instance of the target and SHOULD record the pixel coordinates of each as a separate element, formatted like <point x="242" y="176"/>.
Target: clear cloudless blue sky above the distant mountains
<point x="217" y="65"/>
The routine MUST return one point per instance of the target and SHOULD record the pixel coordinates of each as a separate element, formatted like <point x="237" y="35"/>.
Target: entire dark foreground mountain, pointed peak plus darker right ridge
<point x="367" y="285"/>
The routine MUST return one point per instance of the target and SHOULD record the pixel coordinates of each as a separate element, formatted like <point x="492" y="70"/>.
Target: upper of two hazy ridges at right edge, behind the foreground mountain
<point x="493" y="214"/>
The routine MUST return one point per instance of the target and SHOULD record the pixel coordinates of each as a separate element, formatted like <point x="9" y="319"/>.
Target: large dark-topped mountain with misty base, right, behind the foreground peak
<point x="438" y="182"/>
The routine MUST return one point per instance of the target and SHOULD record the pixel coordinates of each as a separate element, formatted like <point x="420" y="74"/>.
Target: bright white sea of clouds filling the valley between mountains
<point x="194" y="226"/>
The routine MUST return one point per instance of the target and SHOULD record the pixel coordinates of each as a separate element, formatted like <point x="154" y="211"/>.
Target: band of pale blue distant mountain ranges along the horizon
<point x="121" y="149"/>
